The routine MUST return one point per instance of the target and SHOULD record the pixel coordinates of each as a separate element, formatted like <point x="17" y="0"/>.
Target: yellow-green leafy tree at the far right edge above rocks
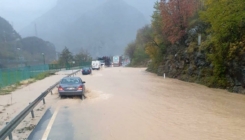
<point x="227" y="30"/>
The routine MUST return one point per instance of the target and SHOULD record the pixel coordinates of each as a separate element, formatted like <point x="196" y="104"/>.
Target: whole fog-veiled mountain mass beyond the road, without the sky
<point x="97" y="25"/>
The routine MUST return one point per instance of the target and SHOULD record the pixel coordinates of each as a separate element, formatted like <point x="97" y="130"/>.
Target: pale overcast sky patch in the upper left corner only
<point x="20" y="13"/>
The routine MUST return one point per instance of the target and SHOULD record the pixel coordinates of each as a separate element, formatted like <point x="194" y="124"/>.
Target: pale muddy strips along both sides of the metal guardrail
<point x="12" y="104"/>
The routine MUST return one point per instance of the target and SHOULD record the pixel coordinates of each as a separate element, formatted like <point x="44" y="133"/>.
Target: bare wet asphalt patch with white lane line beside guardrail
<point x="54" y="124"/>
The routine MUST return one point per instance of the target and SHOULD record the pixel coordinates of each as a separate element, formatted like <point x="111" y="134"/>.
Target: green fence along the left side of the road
<point x="11" y="76"/>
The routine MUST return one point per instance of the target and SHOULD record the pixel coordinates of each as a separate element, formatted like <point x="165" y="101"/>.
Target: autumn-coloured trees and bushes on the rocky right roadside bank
<point x="200" y="41"/>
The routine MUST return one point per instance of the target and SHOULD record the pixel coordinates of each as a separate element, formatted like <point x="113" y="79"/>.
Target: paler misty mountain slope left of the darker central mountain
<point x="56" y="21"/>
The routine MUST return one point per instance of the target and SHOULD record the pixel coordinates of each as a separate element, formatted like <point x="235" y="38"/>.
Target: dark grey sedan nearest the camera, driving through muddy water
<point x="71" y="86"/>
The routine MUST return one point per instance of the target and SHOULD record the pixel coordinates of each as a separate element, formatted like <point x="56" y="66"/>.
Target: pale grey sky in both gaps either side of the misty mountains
<point x="20" y="13"/>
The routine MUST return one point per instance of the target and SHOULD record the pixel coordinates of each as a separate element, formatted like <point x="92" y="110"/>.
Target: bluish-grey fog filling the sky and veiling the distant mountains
<point x="102" y="27"/>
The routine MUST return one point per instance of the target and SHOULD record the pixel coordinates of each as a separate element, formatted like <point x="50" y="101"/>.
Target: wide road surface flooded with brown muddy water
<point x="131" y="104"/>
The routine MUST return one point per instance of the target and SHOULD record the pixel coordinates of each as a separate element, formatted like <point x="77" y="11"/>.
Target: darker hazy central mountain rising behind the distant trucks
<point x="106" y="30"/>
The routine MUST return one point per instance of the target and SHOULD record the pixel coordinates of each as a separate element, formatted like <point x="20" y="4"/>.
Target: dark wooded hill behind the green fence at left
<point x="15" y="50"/>
